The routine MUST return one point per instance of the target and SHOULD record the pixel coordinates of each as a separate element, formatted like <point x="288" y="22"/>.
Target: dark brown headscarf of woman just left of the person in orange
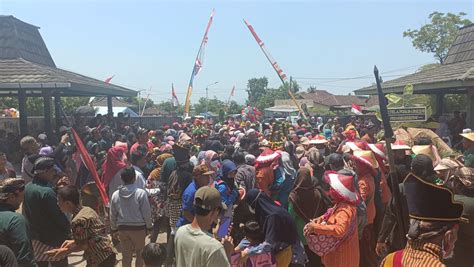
<point x="306" y="198"/>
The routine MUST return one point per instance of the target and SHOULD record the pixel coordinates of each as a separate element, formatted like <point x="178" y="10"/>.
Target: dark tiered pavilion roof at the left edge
<point x="26" y="64"/>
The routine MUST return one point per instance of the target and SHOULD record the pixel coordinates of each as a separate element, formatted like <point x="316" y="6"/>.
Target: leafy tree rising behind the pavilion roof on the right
<point x="436" y="37"/>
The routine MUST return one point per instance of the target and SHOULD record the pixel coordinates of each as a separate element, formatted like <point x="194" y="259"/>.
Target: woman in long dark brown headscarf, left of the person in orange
<point x="306" y="202"/>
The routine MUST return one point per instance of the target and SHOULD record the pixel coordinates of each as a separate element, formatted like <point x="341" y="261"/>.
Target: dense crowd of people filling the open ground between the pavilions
<point x="238" y="193"/>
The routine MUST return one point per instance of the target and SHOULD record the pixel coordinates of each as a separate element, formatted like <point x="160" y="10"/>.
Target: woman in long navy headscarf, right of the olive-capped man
<point x="278" y="227"/>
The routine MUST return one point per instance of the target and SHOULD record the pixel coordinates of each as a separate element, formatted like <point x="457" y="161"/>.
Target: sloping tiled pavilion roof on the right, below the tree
<point x="454" y="75"/>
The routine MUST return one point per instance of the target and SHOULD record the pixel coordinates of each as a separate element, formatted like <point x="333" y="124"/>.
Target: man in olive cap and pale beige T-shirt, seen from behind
<point x="194" y="246"/>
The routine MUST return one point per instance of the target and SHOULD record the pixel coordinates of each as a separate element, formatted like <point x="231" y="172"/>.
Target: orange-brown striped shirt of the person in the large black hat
<point x="416" y="254"/>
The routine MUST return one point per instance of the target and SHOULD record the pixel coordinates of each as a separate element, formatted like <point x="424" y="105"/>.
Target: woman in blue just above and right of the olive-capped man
<point x="226" y="185"/>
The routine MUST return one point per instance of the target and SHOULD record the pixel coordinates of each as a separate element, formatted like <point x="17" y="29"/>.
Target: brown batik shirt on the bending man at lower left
<point x="88" y="228"/>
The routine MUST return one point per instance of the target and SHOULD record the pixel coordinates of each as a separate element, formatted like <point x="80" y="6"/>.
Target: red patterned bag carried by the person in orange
<point x="322" y="244"/>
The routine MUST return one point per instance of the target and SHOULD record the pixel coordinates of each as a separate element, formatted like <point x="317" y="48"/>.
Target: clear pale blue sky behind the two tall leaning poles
<point x="154" y="43"/>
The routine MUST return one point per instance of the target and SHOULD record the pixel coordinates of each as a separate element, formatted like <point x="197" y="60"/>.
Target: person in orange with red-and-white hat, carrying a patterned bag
<point x="340" y="222"/>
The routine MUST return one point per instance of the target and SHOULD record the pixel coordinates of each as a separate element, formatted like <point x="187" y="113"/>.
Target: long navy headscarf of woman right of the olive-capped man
<point x="276" y="222"/>
